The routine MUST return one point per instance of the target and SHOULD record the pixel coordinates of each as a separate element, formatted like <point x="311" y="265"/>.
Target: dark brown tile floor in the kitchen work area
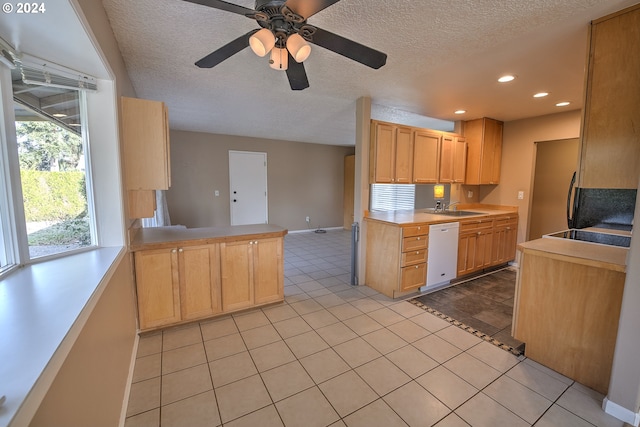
<point x="484" y="303"/>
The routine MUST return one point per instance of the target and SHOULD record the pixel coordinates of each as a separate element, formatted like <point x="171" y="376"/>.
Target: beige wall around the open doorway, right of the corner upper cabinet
<point x="518" y="160"/>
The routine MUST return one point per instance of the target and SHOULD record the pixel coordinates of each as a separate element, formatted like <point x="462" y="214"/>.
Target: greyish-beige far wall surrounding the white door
<point x="302" y="179"/>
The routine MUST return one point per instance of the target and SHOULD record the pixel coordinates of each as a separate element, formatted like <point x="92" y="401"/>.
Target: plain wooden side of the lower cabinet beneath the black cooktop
<point x="566" y="311"/>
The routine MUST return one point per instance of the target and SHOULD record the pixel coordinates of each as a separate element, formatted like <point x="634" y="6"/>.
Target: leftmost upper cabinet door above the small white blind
<point x="383" y="153"/>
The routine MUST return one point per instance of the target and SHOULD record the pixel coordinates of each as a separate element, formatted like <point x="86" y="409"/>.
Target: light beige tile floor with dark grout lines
<point x="336" y="355"/>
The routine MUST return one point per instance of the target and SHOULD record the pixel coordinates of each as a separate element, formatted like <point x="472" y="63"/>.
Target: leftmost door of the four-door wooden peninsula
<point x="157" y="286"/>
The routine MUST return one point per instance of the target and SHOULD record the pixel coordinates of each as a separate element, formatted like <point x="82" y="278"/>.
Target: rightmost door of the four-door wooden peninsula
<point x="268" y="276"/>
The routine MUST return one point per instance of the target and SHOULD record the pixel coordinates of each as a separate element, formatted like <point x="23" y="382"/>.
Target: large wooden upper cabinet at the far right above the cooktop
<point x="610" y="148"/>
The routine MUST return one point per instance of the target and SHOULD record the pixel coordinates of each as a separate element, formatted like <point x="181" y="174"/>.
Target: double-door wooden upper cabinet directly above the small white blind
<point x="391" y="154"/>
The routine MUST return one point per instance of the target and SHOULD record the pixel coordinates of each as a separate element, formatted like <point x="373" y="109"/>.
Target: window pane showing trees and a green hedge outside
<point x="53" y="169"/>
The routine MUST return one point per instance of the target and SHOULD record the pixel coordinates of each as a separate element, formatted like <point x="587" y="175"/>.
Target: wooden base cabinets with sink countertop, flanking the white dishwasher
<point x="397" y="244"/>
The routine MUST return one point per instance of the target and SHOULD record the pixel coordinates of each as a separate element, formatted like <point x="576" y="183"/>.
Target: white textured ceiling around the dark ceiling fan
<point x="443" y="55"/>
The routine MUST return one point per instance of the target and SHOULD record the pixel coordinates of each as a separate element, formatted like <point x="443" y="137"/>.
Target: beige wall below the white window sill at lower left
<point x="89" y="388"/>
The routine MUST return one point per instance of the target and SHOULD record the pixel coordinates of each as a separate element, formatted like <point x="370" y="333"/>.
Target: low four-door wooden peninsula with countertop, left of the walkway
<point x="187" y="274"/>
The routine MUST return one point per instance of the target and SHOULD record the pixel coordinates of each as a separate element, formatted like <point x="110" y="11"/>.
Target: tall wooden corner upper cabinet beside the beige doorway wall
<point x="484" y="150"/>
